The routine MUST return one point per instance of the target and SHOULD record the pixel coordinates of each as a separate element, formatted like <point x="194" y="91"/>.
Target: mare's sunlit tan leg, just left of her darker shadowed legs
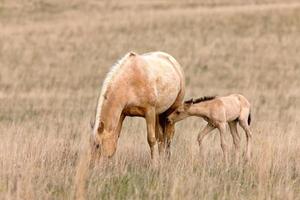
<point x="150" y="120"/>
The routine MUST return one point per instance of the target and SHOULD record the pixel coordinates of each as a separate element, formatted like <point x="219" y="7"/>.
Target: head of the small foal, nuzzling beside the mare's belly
<point x="181" y="112"/>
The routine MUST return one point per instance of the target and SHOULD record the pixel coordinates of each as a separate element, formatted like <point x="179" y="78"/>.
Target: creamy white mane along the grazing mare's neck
<point x="108" y="79"/>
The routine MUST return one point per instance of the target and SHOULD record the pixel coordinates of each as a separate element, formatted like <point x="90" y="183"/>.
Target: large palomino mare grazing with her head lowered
<point x="150" y="86"/>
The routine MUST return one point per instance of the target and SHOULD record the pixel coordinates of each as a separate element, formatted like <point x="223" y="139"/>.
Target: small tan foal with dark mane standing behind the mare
<point x="218" y="111"/>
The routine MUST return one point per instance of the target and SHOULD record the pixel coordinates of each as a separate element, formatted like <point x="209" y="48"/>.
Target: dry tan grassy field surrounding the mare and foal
<point x="54" y="55"/>
